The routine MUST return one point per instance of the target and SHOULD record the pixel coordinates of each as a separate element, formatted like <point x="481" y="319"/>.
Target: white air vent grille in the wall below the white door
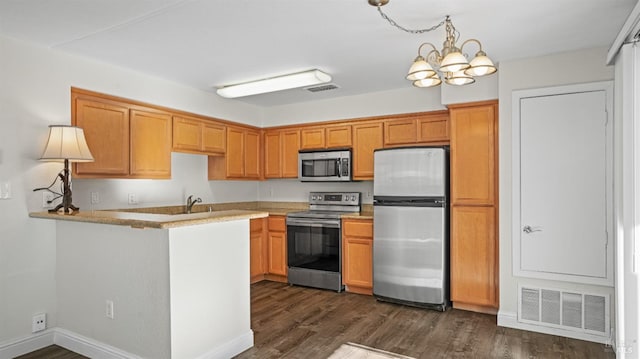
<point x="581" y="312"/>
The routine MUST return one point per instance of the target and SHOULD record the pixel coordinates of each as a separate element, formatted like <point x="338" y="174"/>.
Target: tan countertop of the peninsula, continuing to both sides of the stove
<point x="174" y="216"/>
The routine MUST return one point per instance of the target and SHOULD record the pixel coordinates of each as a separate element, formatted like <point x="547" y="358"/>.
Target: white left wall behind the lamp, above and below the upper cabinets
<point x="35" y="92"/>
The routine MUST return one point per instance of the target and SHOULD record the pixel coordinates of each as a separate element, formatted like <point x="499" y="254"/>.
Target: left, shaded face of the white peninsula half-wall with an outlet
<point x="128" y="266"/>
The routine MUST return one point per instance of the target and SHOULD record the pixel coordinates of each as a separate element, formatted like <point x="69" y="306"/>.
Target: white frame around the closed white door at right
<point x="517" y="96"/>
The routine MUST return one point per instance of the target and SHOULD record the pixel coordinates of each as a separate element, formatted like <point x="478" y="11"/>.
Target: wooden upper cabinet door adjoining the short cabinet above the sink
<point x="150" y="144"/>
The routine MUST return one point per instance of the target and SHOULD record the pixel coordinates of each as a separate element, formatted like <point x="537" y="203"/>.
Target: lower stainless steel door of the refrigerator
<point x="410" y="250"/>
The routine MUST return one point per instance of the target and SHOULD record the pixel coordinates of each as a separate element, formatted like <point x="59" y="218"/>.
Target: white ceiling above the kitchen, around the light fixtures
<point x="210" y="43"/>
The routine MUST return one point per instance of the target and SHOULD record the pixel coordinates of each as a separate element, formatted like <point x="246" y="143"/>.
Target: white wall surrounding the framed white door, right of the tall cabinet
<point x="559" y="69"/>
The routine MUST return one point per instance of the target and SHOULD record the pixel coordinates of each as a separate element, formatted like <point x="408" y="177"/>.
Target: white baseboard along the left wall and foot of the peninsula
<point x="97" y="350"/>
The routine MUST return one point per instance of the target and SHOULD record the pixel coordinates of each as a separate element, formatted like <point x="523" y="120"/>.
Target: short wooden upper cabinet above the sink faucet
<point x="193" y="135"/>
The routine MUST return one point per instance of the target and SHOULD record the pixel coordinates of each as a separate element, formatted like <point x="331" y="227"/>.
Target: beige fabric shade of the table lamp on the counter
<point x="66" y="143"/>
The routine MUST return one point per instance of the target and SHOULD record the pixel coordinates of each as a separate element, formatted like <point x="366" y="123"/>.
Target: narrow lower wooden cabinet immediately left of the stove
<point x="277" y="248"/>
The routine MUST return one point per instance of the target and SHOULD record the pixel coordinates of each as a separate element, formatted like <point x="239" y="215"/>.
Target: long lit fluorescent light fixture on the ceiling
<point x="273" y="84"/>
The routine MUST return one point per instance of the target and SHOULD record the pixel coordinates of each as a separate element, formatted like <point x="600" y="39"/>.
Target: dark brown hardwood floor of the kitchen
<point x="296" y="322"/>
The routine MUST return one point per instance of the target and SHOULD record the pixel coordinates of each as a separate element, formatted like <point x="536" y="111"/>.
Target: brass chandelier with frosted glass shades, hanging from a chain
<point x="449" y="64"/>
